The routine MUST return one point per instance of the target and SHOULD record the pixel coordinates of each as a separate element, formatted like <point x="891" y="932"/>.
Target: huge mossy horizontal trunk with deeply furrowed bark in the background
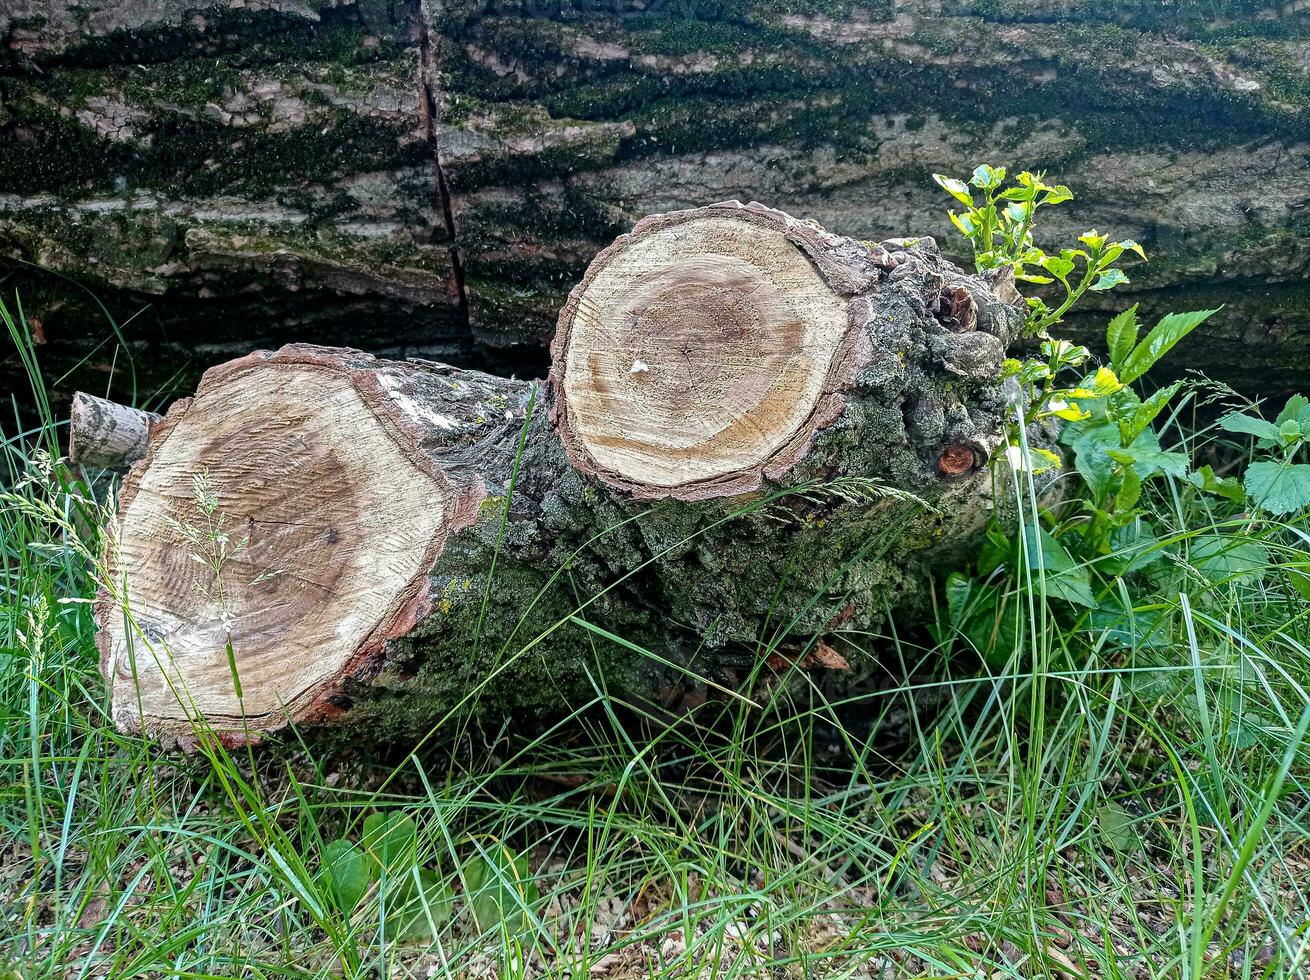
<point x="269" y="175"/>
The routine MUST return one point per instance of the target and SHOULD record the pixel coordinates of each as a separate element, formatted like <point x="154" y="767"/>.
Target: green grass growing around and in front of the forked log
<point x="1075" y="808"/>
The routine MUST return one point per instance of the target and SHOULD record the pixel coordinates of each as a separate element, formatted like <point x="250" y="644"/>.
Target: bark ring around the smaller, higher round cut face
<point x="853" y="353"/>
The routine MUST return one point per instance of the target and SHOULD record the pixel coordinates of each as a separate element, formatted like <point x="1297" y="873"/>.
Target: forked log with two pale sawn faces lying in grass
<point x="755" y="434"/>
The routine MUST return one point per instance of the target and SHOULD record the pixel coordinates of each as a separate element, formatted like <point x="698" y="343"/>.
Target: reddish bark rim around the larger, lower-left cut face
<point x="412" y="602"/>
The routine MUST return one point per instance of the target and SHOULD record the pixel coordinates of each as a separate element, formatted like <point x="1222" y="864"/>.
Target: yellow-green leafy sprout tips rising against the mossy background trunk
<point x="999" y="223"/>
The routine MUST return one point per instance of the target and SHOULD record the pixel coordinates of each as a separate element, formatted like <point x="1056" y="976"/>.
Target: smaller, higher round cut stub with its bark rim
<point x="703" y="352"/>
